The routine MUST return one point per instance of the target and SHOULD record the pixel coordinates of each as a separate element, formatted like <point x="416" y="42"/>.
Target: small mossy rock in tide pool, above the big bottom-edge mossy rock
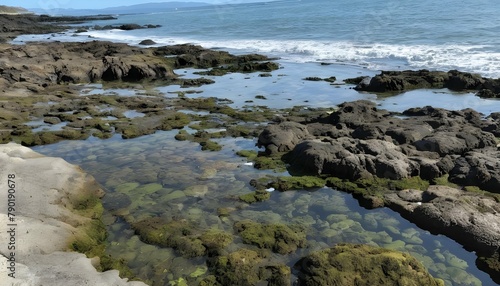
<point x="279" y="238"/>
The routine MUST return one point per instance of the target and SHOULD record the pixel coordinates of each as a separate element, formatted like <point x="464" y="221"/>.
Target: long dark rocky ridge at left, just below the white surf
<point x="60" y="63"/>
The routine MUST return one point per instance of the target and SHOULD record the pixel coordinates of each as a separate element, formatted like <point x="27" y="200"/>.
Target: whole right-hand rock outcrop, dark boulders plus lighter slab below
<point x="367" y="151"/>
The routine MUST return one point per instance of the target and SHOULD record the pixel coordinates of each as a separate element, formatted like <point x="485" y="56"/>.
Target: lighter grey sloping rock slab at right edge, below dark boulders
<point x="471" y="219"/>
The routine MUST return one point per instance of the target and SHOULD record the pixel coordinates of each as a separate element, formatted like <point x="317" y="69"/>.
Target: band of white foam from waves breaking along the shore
<point x="481" y="59"/>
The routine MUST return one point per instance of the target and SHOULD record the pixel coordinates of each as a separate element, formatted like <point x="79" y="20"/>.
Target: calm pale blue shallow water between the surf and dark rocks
<point x="287" y="88"/>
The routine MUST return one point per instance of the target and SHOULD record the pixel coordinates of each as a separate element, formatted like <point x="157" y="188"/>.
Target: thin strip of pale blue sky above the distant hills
<point x="90" y="4"/>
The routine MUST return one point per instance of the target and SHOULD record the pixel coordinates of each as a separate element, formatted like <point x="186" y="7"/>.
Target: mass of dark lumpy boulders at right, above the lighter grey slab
<point x="360" y="141"/>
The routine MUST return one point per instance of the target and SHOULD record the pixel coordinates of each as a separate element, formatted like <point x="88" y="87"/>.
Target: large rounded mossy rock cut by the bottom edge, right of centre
<point x="354" y="264"/>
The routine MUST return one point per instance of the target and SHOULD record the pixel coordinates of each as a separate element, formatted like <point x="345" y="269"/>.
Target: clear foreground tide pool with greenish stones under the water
<point x="162" y="175"/>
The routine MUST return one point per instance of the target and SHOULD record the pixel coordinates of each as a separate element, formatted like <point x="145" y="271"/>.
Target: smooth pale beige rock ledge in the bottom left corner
<point x="45" y="224"/>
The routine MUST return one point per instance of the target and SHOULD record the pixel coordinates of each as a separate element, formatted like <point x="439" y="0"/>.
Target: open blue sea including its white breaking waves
<point x="379" y="35"/>
